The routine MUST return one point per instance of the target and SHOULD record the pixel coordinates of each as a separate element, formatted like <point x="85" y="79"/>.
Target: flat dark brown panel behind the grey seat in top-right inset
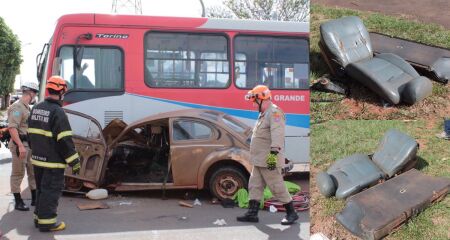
<point x="432" y="61"/>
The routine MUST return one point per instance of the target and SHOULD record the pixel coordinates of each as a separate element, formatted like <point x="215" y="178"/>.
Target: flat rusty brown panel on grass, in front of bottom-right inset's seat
<point x="378" y="211"/>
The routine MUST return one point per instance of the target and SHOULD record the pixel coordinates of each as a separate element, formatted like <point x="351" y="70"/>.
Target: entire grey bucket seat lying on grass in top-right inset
<point x="346" y="46"/>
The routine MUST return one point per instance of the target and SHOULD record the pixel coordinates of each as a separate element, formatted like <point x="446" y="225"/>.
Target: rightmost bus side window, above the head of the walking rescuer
<point x="278" y="62"/>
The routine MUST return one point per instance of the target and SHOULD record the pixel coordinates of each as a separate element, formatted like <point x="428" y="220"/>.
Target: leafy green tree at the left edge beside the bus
<point x="10" y="60"/>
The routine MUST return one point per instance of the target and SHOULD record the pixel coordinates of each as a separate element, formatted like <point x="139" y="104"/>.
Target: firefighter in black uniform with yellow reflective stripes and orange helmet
<point x="50" y="137"/>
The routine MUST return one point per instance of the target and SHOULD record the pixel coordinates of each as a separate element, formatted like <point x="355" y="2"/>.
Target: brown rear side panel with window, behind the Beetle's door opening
<point x="191" y="141"/>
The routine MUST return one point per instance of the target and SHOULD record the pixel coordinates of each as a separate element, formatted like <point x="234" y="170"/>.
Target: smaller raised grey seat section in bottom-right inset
<point x="394" y="152"/>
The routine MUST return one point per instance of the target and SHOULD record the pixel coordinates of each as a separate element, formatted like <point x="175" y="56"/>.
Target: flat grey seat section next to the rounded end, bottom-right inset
<point x="354" y="173"/>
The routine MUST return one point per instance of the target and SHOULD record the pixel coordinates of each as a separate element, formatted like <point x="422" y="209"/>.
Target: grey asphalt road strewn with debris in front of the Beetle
<point x="144" y="216"/>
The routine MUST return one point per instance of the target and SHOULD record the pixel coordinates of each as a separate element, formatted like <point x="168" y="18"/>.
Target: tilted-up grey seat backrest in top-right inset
<point x="346" y="39"/>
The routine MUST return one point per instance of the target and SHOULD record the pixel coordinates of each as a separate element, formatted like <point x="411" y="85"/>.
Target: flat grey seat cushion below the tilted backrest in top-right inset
<point x="386" y="74"/>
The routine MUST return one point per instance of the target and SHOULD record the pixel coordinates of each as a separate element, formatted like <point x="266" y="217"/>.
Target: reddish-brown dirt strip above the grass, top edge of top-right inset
<point x="435" y="11"/>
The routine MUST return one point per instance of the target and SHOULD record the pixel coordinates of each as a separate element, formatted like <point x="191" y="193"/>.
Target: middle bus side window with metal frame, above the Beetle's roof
<point x="186" y="60"/>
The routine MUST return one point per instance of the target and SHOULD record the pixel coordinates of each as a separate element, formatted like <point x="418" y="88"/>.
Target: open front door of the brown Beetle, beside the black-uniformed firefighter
<point x="91" y="146"/>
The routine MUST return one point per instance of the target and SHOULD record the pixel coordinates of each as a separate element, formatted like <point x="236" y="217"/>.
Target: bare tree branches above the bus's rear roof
<point x="279" y="10"/>
